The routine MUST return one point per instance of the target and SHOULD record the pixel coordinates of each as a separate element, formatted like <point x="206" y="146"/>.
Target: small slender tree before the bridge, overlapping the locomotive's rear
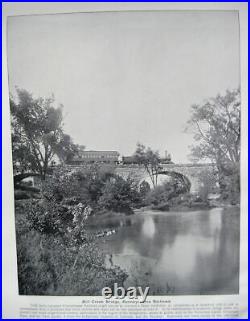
<point x="150" y="160"/>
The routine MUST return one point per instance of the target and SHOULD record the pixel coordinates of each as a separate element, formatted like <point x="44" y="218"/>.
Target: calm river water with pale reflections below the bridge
<point x="176" y="253"/>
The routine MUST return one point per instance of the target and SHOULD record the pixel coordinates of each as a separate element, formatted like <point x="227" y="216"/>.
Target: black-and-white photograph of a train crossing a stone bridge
<point x="126" y="151"/>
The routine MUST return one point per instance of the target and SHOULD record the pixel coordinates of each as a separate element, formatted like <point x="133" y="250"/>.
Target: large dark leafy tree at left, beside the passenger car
<point x="37" y="133"/>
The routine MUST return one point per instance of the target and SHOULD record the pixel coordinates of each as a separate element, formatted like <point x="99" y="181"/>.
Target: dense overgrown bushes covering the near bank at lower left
<point x="56" y="254"/>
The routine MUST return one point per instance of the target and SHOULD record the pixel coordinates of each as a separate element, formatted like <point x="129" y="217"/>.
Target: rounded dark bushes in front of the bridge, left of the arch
<point x="94" y="186"/>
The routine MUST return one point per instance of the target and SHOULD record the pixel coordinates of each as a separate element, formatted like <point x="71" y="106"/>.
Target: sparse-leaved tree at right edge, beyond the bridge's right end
<point x="216" y="126"/>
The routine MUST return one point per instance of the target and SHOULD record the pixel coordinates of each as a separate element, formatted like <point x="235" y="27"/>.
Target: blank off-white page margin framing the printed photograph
<point x="11" y="300"/>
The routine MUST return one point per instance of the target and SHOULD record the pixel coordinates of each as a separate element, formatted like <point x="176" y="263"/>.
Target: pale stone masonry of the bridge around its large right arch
<point x="193" y="172"/>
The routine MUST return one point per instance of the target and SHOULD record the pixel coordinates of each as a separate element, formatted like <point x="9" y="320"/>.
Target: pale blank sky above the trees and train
<point x="126" y="77"/>
